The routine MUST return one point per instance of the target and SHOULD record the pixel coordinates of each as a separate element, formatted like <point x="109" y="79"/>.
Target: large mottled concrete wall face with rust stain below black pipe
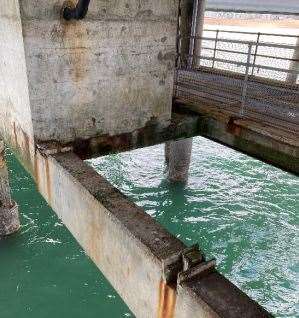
<point x="107" y="74"/>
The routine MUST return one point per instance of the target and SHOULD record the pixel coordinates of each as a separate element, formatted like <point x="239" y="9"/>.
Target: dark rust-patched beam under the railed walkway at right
<point x="250" y="137"/>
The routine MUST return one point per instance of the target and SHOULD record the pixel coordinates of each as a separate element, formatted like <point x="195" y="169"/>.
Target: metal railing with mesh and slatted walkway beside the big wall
<point x="204" y="77"/>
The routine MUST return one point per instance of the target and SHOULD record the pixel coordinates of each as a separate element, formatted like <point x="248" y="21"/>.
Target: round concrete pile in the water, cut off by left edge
<point x="9" y="216"/>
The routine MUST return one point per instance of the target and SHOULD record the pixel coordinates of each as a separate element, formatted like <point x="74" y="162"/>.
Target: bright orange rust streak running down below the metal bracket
<point x="167" y="300"/>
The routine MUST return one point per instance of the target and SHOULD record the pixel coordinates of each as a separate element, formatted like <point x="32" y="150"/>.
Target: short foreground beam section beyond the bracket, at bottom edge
<point x="214" y="296"/>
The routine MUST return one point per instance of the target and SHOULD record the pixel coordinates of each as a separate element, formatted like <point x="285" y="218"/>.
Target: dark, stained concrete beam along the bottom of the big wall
<point x="182" y="125"/>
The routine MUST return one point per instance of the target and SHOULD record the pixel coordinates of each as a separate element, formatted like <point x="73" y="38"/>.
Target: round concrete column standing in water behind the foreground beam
<point x="178" y="157"/>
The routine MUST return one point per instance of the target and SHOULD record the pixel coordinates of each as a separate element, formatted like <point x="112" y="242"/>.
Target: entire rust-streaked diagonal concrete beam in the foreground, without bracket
<point x="131" y="249"/>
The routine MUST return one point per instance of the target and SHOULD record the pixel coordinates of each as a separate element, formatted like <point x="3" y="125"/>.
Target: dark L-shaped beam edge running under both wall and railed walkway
<point x="269" y="143"/>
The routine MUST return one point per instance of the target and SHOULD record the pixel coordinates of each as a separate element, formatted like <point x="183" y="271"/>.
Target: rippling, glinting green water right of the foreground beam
<point x="239" y="210"/>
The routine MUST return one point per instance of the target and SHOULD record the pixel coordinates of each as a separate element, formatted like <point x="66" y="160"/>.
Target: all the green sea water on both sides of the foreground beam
<point x="241" y="211"/>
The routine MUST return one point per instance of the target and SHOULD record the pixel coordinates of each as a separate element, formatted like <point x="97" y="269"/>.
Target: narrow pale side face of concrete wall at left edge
<point x="15" y="115"/>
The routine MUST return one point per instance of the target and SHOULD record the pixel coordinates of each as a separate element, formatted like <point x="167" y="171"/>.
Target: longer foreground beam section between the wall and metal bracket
<point x="125" y="243"/>
